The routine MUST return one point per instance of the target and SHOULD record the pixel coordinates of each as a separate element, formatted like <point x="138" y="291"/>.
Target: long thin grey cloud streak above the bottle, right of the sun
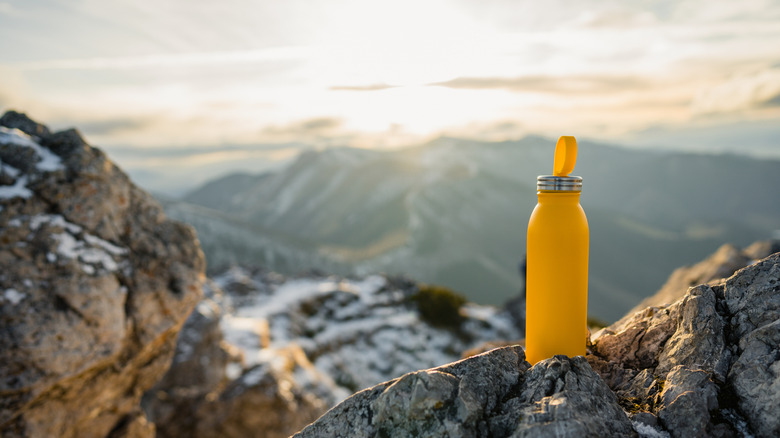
<point x="550" y="84"/>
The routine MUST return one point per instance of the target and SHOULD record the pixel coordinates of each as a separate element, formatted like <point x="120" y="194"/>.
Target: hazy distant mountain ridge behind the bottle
<point x="455" y="212"/>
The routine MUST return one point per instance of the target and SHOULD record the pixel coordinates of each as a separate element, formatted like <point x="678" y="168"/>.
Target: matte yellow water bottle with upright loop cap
<point x="557" y="263"/>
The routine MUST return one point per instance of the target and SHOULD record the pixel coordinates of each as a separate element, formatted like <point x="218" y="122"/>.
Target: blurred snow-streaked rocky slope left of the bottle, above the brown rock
<point x="359" y="331"/>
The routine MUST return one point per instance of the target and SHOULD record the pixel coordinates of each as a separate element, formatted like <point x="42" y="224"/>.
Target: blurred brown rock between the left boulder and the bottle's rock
<point x="201" y="396"/>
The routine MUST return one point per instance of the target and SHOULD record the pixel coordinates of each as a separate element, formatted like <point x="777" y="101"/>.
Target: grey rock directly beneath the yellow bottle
<point x="494" y="394"/>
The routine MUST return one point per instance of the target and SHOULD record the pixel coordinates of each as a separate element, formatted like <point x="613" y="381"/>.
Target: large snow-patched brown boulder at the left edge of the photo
<point x="95" y="284"/>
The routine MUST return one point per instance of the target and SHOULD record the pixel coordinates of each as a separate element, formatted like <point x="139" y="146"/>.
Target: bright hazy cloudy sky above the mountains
<point x="177" y="90"/>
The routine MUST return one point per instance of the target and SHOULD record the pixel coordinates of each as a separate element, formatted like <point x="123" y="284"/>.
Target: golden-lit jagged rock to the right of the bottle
<point x="705" y="365"/>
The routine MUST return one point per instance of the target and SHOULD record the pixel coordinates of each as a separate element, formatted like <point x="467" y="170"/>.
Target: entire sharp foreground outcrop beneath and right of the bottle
<point x="706" y="365"/>
